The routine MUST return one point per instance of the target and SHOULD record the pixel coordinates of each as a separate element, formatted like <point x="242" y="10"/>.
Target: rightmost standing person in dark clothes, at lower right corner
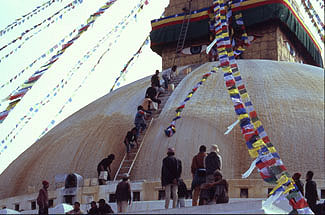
<point x="311" y="191"/>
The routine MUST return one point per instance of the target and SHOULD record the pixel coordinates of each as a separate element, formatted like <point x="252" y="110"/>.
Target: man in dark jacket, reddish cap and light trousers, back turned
<point x="170" y="173"/>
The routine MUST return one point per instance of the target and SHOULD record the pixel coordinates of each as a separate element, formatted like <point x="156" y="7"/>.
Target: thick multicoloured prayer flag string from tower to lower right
<point x="267" y="159"/>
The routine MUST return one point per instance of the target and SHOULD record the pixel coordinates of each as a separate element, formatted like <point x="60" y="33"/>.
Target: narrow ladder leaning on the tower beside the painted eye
<point x="182" y="35"/>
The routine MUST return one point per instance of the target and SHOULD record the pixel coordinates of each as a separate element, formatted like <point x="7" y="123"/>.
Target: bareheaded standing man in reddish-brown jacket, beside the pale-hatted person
<point x="198" y="173"/>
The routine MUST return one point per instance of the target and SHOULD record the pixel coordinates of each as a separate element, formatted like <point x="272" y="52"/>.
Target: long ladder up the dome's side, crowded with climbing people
<point x="128" y="160"/>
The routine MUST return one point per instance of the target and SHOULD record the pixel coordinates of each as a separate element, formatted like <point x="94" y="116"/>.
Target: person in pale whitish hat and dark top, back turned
<point x="213" y="162"/>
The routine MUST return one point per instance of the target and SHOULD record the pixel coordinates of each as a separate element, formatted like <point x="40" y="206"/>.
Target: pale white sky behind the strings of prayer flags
<point x="123" y="44"/>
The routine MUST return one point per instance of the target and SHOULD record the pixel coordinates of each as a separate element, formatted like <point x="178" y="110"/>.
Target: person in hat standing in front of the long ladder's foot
<point x="123" y="194"/>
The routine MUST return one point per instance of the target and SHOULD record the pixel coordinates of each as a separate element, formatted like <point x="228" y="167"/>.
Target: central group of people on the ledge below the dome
<point x="207" y="184"/>
